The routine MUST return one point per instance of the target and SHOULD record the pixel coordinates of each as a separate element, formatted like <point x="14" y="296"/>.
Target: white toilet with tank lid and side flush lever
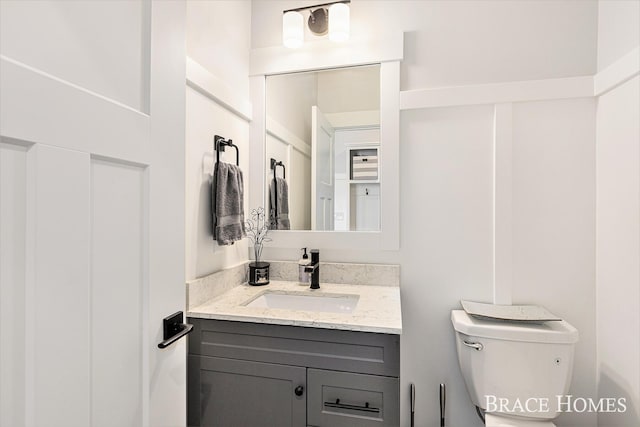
<point x="517" y="372"/>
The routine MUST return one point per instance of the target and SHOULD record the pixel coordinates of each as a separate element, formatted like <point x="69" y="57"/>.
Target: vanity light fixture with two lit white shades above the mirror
<point x="322" y="20"/>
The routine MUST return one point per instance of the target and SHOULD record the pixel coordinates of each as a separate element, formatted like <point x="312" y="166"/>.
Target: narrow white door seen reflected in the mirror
<point x="322" y="180"/>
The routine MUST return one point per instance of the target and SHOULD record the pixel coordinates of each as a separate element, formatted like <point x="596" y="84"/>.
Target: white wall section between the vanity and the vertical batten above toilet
<point x="446" y="245"/>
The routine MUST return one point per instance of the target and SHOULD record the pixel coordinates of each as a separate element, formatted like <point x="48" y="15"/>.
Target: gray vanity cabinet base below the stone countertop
<point x="249" y="374"/>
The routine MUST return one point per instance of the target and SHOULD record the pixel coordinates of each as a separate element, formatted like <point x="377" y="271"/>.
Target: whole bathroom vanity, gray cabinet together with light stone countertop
<point x="255" y="365"/>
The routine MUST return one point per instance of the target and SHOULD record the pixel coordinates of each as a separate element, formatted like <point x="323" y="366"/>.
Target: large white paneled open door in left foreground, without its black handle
<point x="91" y="213"/>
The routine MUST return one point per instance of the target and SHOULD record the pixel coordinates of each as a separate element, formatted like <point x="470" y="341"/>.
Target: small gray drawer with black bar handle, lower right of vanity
<point x="342" y="399"/>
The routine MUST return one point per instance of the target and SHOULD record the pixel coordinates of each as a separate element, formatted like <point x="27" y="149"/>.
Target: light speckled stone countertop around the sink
<point x="378" y="309"/>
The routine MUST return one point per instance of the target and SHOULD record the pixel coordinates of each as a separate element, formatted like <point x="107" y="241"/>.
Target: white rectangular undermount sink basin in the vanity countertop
<point x="330" y="303"/>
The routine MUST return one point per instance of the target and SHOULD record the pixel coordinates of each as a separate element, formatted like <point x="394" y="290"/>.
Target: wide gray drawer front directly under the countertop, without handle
<point x="361" y="352"/>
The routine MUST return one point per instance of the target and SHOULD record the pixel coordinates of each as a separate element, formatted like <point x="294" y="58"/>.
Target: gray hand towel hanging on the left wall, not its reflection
<point x="227" y="197"/>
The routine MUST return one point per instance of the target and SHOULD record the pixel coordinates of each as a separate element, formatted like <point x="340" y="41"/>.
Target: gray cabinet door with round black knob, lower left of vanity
<point x="238" y="393"/>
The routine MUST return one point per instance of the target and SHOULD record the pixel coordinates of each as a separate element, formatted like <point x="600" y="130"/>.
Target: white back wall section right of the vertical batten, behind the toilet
<point x="554" y="224"/>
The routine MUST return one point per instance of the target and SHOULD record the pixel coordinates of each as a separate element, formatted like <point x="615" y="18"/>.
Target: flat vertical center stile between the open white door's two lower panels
<point x="56" y="291"/>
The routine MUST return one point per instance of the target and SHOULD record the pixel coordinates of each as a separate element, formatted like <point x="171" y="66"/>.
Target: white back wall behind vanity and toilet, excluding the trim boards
<point x="446" y="164"/>
